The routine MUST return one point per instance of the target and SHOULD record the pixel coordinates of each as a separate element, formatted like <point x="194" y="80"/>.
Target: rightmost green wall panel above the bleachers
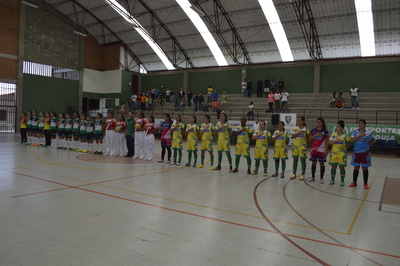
<point x="368" y="77"/>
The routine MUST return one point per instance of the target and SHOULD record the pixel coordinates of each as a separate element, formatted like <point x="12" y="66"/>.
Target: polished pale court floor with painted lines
<point x="66" y="208"/>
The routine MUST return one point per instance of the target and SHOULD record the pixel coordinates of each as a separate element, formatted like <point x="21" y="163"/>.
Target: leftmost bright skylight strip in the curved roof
<point x="145" y="35"/>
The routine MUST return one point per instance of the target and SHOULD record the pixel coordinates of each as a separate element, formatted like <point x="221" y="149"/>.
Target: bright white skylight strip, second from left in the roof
<point x="203" y="30"/>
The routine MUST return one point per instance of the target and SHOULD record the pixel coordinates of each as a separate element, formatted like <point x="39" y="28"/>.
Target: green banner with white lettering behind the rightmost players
<point x="379" y="131"/>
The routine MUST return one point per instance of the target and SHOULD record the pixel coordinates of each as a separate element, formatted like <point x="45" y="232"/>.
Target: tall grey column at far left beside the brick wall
<point x="21" y="55"/>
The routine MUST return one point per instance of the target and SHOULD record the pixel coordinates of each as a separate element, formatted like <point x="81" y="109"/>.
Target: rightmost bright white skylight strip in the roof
<point x="365" y="27"/>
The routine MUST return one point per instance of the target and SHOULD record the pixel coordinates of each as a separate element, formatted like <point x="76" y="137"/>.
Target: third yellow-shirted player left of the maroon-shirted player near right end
<point x="262" y="137"/>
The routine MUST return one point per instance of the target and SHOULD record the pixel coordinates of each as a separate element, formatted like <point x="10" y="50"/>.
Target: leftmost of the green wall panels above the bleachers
<point x="173" y="80"/>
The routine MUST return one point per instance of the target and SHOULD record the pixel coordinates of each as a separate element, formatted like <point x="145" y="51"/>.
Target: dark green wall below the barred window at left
<point x="46" y="94"/>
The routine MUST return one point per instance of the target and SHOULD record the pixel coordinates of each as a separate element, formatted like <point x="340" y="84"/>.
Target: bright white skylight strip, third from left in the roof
<point x="276" y="27"/>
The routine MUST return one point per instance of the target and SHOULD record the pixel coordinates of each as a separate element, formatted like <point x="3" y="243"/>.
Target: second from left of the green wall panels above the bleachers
<point x="228" y="81"/>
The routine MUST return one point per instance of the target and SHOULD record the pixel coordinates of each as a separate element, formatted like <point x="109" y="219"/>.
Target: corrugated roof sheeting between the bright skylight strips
<point x="335" y="21"/>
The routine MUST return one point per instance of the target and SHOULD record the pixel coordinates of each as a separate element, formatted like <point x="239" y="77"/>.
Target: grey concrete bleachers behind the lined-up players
<point x="375" y="108"/>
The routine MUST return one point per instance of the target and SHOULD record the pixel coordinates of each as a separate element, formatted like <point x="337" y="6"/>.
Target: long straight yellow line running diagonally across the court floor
<point x="188" y="203"/>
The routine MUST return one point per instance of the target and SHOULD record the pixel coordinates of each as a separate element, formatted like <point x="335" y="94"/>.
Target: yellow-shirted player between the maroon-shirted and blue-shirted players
<point x="340" y="143"/>
